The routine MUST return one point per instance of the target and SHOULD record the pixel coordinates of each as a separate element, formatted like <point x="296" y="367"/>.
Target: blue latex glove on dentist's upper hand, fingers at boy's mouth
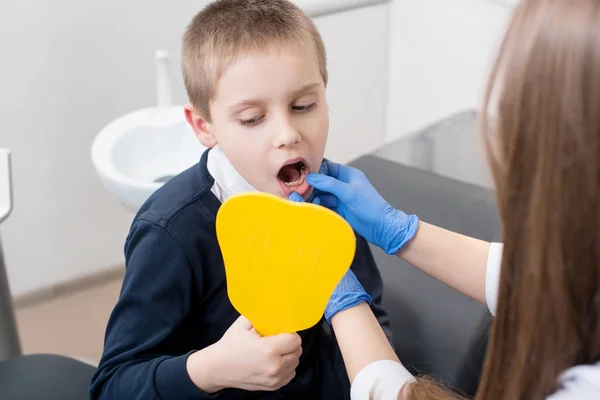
<point x="348" y="192"/>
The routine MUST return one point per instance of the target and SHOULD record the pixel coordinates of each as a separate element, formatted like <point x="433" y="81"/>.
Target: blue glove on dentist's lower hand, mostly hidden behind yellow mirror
<point x="348" y="292"/>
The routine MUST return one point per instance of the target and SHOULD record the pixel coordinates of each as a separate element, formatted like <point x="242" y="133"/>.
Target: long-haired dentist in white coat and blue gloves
<point x="543" y="283"/>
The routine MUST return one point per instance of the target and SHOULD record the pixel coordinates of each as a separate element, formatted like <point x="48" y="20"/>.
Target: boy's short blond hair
<point x="226" y="29"/>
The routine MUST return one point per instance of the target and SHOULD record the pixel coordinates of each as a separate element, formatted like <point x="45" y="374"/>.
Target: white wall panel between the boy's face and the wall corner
<point x="357" y="48"/>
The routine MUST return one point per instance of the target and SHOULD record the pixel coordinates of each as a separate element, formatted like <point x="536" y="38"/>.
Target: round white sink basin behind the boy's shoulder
<point x="137" y="153"/>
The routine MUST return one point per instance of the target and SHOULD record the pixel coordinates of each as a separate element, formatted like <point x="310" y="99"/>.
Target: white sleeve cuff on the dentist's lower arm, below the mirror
<point x="381" y="379"/>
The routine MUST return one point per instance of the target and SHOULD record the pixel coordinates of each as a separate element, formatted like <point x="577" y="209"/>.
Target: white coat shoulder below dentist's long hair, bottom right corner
<point x="579" y="383"/>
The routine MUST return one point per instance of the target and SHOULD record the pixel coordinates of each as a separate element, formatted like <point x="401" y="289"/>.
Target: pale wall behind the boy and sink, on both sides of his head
<point x="68" y="67"/>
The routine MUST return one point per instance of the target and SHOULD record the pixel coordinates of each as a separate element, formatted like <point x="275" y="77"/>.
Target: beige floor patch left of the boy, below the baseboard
<point x="72" y="325"/>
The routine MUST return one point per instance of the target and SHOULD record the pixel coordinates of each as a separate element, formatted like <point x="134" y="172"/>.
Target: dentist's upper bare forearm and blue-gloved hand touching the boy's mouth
<point x="456" y="260"/>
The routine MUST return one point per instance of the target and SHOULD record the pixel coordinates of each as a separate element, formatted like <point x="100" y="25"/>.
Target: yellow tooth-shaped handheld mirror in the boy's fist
<point x="282" y="259"/>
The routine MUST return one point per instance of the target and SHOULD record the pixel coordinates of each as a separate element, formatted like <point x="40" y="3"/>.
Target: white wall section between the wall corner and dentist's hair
<point x="440" y="54"/>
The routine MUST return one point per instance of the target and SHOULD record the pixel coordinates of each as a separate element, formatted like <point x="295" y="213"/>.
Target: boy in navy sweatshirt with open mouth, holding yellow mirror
<point x="255" y="72"/>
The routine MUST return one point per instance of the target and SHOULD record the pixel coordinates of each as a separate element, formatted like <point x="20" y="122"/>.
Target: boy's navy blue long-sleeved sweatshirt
<point x="174" y="302"/>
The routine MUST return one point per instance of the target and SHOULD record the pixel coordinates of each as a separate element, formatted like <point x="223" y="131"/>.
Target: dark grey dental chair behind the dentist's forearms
<point x="437" y="331"/>
